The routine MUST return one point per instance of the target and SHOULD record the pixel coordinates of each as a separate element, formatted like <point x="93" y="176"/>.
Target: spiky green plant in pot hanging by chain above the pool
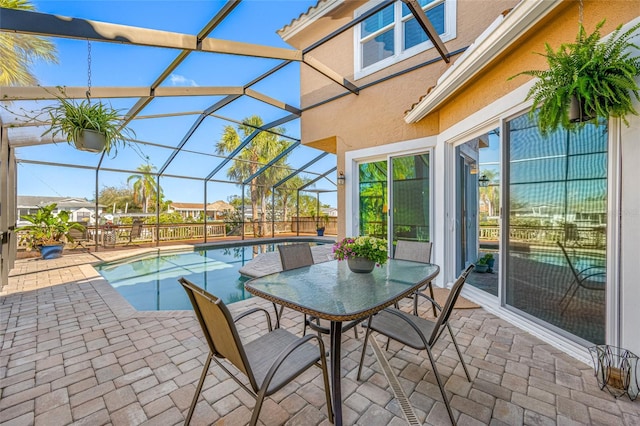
<point x="93" y="127"/>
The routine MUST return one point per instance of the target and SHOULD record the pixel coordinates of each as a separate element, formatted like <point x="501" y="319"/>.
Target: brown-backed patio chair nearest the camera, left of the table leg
<point x="269" y="362"/>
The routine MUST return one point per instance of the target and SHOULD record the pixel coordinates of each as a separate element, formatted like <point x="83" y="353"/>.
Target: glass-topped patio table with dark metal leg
<point x="332" y="292"/>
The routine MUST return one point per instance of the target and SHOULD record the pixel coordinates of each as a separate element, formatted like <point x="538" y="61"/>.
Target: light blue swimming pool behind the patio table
<point x="150" y="282"/>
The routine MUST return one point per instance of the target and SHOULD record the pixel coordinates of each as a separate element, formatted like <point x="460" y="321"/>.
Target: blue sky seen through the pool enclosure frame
<point x="253" y="21"/>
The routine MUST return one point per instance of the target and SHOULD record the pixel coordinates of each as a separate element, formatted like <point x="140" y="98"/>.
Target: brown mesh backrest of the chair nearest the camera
<point x="218" y="328"/>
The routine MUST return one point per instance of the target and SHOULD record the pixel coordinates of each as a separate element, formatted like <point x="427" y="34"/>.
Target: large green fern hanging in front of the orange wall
<point x="586" y="80"/>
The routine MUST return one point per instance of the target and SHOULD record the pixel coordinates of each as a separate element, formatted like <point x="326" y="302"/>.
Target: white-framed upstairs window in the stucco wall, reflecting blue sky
<point x="392" y="34"/>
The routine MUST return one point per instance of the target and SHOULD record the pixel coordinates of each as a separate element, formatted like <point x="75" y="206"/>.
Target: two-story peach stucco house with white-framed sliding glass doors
<point x="436" y="122"/>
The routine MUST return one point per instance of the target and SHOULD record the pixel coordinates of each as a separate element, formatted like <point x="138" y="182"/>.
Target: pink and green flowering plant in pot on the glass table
<point x="361" y="253"/>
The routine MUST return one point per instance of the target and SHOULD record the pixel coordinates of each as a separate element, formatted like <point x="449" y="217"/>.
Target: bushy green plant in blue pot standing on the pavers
<point x="48" y="231"/>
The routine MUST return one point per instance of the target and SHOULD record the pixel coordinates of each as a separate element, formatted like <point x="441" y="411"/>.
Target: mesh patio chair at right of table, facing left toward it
<point x="419" y="333"/>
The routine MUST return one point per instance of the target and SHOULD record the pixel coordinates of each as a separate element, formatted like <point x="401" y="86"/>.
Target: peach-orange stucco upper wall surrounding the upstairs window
<point x="376" y="115"/>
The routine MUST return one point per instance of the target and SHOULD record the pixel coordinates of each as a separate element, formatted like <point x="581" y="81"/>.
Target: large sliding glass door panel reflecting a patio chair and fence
<point x="555" y="226"/>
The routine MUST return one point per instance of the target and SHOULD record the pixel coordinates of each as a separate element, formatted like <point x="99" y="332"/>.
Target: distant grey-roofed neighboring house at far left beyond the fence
<point x="81" y="209"/>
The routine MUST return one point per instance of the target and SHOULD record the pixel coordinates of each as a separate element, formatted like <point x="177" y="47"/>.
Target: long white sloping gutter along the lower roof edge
<point x="504" y="32"/>
